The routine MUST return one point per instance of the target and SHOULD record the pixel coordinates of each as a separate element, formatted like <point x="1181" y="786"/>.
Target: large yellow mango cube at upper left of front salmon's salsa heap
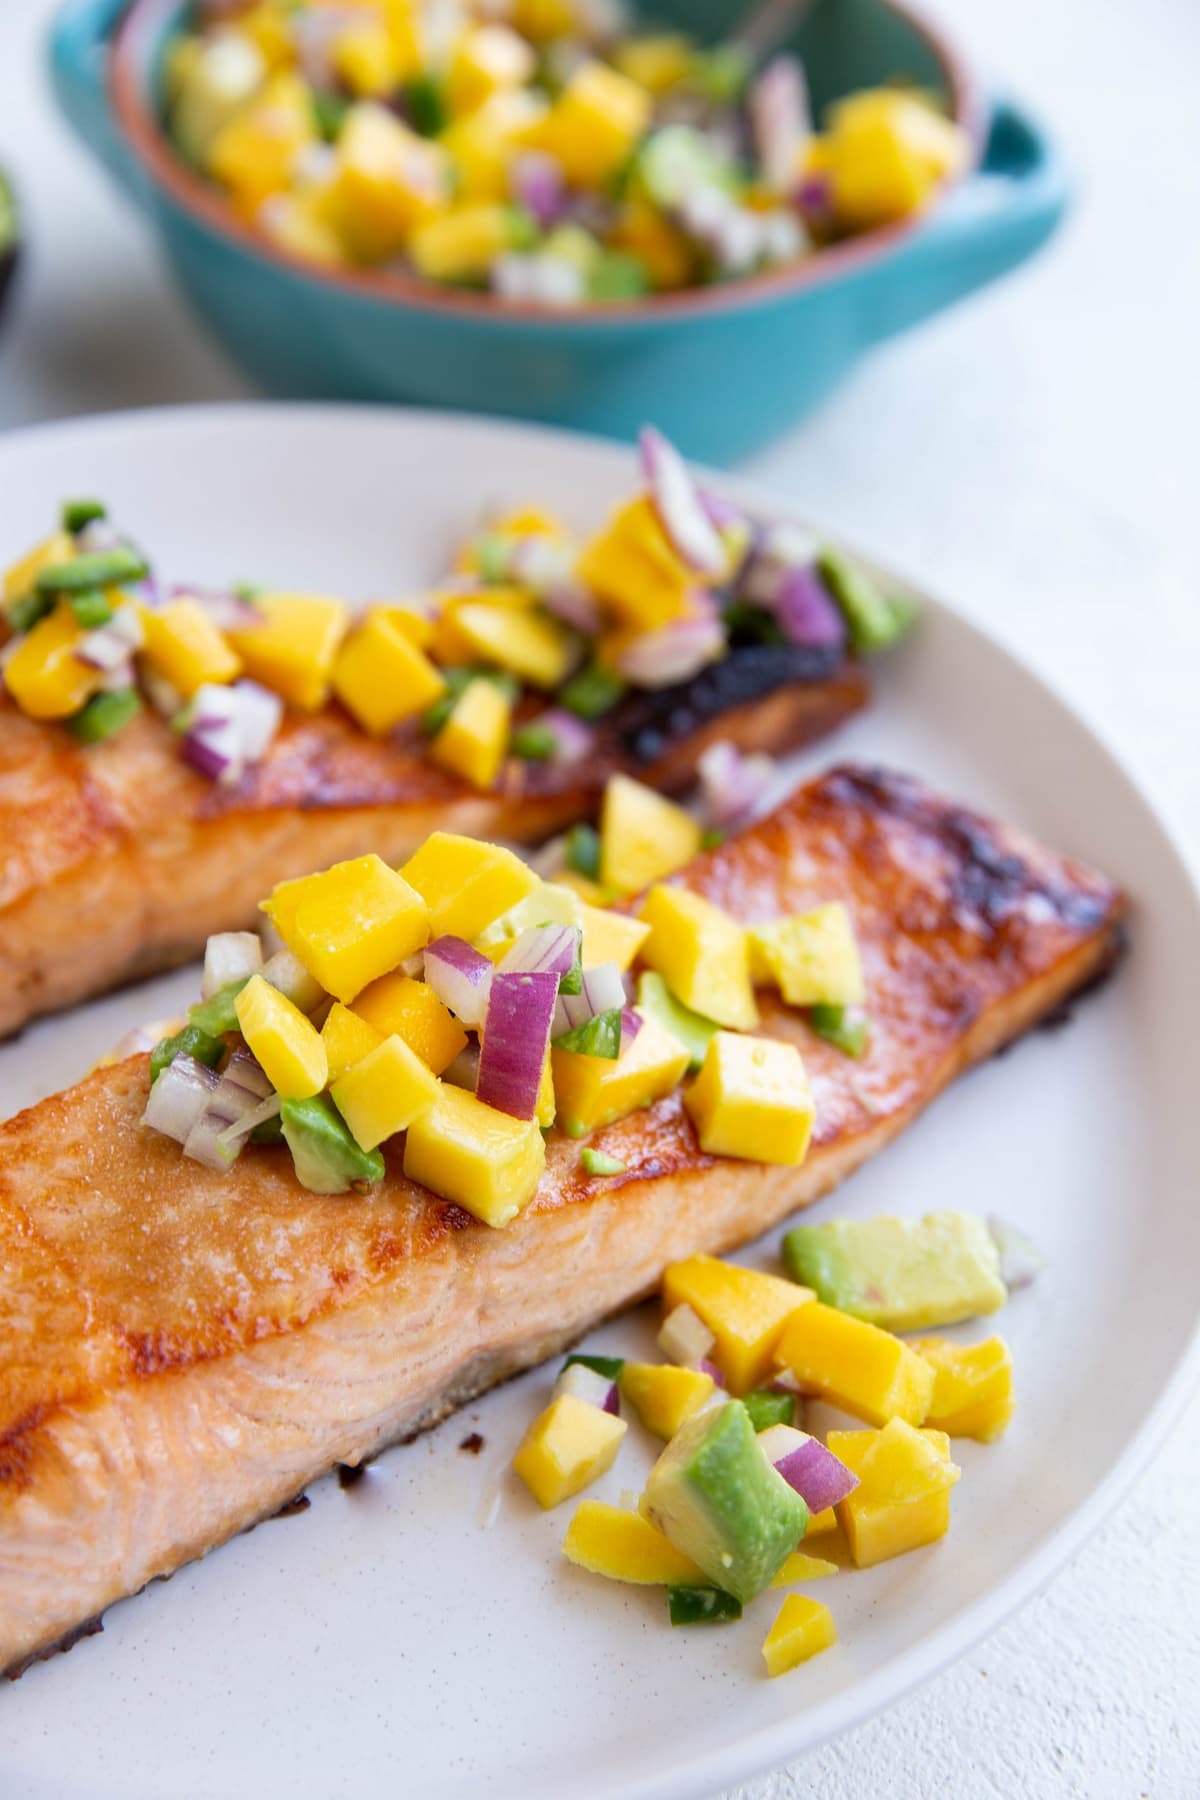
<point x="350" y="924"/>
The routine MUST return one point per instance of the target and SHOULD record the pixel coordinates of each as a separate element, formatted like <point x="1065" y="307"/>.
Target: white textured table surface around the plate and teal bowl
<point x="1035" y="458"/>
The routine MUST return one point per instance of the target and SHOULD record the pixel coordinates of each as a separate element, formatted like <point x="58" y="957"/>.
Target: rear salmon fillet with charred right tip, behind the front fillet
<point x="118" y="861"/>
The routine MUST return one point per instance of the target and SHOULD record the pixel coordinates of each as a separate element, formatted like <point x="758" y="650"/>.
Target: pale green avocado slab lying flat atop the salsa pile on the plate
<point x="906" y="1275"/>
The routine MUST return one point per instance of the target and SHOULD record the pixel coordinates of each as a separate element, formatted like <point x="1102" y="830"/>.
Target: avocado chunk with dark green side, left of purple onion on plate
<point x="721" y="1502"/>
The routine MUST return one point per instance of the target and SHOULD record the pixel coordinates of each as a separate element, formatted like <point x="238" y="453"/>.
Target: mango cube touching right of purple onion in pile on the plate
<point x="879" y="1522"/>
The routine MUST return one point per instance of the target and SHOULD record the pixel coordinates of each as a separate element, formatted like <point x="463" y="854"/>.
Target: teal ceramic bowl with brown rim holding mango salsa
<point x="721" y="370"/>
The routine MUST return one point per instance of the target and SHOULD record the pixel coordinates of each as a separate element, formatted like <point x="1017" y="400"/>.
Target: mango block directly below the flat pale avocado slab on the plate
<point x="857" y="1367"/>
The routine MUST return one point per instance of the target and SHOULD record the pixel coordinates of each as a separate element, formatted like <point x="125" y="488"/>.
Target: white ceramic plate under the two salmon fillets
<point x="420" y="1633"/>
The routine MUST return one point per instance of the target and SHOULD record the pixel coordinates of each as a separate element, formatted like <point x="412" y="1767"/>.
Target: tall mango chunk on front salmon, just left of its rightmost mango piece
<point x="703" y="955"/>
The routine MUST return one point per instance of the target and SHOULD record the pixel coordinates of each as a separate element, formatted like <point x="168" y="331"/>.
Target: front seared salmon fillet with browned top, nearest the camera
<point x="181" y="1351"/>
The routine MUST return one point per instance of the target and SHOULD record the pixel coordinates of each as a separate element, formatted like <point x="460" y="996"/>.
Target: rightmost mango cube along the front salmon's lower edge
<point x="753" y="1101"/>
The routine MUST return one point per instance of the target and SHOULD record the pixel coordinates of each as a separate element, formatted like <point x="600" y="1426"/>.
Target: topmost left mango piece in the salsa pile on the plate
<point x="744" y="1309"/>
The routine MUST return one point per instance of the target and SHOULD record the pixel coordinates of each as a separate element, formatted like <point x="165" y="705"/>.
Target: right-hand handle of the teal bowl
<point x="990" y="224"/>
